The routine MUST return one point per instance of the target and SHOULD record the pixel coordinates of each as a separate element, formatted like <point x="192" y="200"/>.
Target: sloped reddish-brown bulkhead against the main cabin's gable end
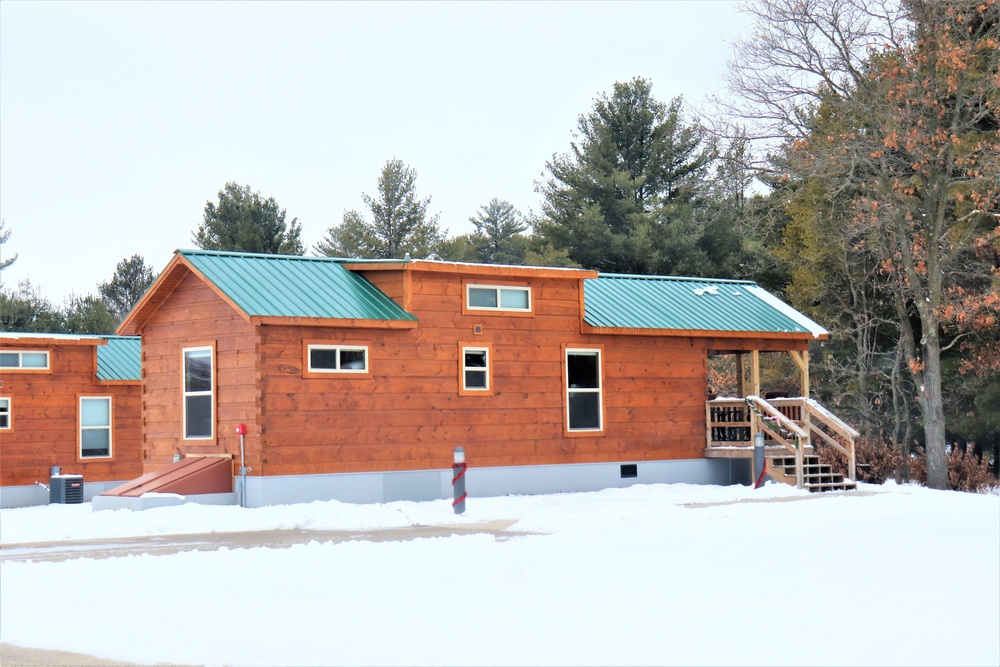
<point x="193" y="475"/>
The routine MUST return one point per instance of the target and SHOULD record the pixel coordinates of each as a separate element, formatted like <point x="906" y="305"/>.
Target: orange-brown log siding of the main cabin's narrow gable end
<point x="194" y="315"/>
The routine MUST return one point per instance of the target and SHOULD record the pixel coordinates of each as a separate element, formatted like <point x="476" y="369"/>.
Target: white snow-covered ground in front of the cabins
<point x="659" y="574"/>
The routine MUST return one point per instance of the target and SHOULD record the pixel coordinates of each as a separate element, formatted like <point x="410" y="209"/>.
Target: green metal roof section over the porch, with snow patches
<point x="701" y="304"/>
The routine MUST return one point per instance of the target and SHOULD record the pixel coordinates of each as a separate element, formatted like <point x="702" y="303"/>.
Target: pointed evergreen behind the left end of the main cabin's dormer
<point x="399" y="227"/>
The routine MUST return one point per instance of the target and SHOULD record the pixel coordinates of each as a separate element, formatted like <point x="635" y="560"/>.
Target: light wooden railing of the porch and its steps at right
<point x="788" y="422"/>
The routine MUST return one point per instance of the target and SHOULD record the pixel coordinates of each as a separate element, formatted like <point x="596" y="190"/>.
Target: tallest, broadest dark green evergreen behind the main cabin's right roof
<point x="624" y="198"/>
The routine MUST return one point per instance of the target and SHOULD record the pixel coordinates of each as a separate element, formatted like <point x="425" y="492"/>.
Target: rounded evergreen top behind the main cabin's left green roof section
<point x="245" y="221"/>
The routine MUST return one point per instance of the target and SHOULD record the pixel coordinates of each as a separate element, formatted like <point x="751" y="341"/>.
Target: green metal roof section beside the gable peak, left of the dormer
<point x="294" y="286"/>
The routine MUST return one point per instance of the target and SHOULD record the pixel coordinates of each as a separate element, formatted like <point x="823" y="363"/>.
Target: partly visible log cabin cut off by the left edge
<point x="68" y="401"/>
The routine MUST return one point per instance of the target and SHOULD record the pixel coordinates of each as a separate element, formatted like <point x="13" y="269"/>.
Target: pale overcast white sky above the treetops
<point x="118" y="121"/>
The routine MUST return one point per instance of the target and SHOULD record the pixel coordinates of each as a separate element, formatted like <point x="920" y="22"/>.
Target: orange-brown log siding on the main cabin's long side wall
<point x="408" y="413"/>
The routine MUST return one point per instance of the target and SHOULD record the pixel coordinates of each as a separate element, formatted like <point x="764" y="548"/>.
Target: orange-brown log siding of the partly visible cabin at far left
<point x="44" y="416"/>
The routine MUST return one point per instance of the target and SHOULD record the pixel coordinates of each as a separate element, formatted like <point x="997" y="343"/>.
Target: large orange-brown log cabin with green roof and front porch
<point x="356" y="380"/>
